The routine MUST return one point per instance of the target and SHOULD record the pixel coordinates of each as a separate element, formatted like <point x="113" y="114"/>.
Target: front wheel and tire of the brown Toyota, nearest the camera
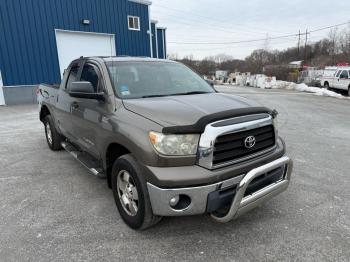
<point x="135" y="210"/>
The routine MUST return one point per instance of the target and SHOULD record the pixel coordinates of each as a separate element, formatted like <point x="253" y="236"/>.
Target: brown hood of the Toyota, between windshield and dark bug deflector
<point x="185" y="110"/>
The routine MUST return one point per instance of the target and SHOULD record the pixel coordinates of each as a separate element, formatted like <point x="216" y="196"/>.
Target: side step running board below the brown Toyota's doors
<point x="85" y="159"/>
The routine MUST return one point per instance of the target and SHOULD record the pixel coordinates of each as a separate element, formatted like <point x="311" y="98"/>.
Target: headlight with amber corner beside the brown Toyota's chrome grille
<point x="174" y="145"/>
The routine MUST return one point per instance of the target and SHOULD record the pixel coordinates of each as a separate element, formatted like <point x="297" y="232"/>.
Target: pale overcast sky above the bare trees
<point x="203" y="24"/>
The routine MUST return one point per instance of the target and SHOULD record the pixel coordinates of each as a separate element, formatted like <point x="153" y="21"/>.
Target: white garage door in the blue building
<point x="74" y="44"/>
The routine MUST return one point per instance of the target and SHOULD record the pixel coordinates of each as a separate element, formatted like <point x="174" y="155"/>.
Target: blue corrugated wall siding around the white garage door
<point x="28" y="51"/>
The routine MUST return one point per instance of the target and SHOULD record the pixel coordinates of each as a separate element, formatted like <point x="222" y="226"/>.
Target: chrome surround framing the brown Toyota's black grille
<point x="211" y="133"/>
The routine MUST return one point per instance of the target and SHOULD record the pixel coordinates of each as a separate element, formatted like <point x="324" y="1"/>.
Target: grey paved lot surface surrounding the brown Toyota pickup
<point x="52" y="209"/>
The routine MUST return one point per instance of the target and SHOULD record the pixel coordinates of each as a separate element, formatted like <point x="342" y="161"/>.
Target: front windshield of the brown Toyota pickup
<point x="155" y="79"/>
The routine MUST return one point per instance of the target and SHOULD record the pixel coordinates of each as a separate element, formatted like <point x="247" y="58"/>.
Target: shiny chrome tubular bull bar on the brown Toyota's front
<point x="241" y="204"/>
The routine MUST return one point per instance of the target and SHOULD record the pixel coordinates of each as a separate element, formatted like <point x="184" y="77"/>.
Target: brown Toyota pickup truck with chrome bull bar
<point x="166" y="141"/>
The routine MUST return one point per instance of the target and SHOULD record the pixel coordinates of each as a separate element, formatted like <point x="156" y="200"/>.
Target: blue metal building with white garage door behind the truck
<point x="38" y="38"/>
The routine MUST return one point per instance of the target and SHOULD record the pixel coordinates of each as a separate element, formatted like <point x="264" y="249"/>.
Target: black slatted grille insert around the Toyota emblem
<point x="231" y="147"/>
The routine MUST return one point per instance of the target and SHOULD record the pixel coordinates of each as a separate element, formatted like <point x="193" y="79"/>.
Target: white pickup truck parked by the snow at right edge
<point x="340" y="80"/>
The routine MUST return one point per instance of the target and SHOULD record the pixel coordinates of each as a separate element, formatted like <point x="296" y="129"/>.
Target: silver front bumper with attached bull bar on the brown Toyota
<point x="241" y="202"/>
